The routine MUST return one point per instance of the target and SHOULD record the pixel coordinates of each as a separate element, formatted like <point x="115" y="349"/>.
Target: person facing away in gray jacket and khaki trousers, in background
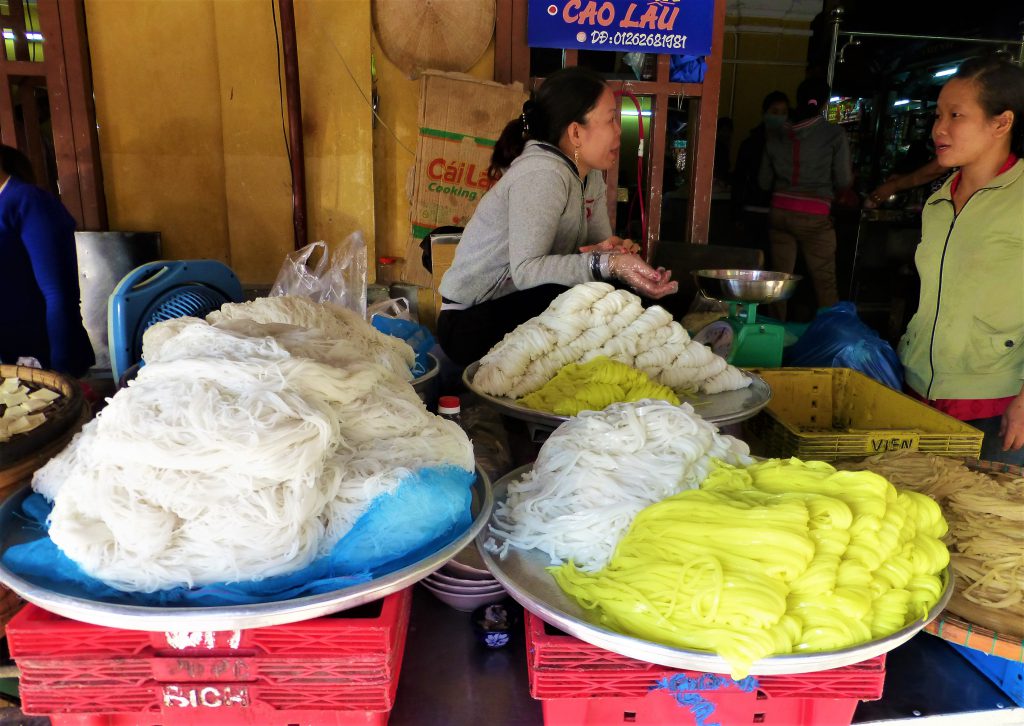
<point x="805" y="165"/>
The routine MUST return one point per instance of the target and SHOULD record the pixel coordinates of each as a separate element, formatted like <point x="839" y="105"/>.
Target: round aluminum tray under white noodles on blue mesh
<point x="77" y="606"/>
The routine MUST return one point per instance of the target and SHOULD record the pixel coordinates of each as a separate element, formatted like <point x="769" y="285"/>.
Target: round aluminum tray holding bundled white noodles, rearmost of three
<point x="719" y="409"/>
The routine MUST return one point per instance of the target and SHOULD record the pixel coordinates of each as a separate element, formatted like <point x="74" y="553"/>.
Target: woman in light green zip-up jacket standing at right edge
<point x="964" y="350"/>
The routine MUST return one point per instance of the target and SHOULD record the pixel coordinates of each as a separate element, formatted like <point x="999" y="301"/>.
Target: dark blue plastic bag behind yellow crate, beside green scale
<point x="838" y="338"/>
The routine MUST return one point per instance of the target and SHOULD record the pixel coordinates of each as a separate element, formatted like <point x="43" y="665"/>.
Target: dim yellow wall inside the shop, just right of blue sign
<point x="780" y="63"/>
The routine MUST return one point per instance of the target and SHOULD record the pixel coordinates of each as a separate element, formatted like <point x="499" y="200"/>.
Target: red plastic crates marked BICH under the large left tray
<point x="343" y="667"/>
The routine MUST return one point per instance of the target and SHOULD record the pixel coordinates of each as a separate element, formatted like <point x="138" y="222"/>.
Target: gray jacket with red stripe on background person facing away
<point x="809" y="159"/>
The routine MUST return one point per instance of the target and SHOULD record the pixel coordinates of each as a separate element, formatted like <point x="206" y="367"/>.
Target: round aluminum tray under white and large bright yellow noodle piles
<point x="526" y="579"/>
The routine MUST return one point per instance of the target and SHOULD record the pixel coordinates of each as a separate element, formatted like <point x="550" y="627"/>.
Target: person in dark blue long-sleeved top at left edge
<point x="40" y="301"/>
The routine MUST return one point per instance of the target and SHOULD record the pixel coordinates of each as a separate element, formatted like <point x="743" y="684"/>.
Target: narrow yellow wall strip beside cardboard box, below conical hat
<point x="395" y="153"/>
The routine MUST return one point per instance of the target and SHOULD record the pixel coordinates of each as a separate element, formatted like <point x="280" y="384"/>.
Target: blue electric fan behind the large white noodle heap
<point x="161" y="291"/>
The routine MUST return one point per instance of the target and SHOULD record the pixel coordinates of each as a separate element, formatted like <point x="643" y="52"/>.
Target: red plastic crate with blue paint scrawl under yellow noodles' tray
<point x="580" y="684"/>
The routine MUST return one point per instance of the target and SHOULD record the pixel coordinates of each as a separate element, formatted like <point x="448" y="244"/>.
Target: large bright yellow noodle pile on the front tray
<point x="783" y="558"/>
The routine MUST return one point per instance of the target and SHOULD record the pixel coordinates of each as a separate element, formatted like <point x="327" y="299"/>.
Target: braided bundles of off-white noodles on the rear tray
<point x="594" y="320"/>
